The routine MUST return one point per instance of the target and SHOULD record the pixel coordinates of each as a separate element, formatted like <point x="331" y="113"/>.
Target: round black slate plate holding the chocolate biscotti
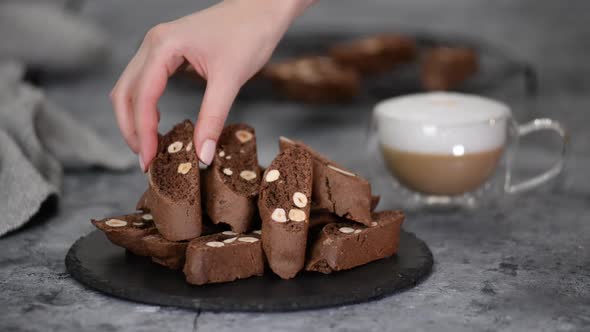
<point x="97" y="263"/>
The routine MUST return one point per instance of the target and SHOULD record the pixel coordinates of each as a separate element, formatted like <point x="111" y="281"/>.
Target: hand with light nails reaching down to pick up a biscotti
<point x="226" y="44"/>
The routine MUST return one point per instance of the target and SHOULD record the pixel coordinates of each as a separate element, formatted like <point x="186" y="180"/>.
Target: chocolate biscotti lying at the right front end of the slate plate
<point x="344" y="245"/>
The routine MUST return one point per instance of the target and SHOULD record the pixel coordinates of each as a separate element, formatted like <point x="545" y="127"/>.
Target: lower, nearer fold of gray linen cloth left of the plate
<point x="37" y="141"/>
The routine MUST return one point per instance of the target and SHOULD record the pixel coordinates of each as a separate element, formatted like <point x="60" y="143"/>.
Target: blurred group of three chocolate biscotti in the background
<point x="338" y="75"/>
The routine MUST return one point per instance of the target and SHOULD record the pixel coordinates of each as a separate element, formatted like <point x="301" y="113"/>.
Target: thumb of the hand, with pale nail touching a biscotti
<point x="219" y="96"/>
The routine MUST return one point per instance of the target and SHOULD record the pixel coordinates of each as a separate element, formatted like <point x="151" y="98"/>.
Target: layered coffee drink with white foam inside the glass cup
<point x="442" y="143"/>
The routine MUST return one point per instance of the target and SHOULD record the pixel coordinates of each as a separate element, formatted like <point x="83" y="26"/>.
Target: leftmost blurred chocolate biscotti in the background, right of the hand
<point x="313" y="79"/>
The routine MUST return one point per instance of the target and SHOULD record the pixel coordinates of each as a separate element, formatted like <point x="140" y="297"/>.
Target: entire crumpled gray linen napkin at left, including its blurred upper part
<point x="38" y="139"/>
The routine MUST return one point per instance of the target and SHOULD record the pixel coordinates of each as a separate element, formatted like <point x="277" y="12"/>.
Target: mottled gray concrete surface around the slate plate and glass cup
<point x="522" y="266"/>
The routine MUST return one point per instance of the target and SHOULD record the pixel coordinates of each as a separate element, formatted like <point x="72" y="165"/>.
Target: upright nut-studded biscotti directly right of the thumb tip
<point x="232" y="180"/>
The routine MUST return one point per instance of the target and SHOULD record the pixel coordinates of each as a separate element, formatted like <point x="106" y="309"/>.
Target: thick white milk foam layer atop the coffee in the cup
<point x="442" y="123"/>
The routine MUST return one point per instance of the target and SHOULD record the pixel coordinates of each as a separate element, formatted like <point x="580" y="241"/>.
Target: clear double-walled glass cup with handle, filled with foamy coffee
<point x="443" y="149"/>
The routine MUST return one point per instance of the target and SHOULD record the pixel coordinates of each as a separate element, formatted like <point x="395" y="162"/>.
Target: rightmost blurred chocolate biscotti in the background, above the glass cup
<point x="444" y="68"/>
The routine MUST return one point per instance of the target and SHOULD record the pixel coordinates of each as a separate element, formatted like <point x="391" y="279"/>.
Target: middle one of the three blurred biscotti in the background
<point x="375" y="54"/>
